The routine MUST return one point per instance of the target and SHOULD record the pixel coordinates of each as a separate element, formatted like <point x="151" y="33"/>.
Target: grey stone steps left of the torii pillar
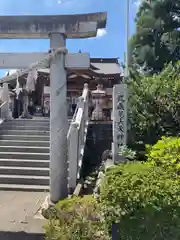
<point x="24" y="155"/>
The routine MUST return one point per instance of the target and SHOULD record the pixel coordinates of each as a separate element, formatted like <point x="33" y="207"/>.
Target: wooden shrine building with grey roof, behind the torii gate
<point x="105" y="72"/>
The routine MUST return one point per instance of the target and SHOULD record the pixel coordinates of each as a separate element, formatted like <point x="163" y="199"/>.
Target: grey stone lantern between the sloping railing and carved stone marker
<point x="98" y="99"/>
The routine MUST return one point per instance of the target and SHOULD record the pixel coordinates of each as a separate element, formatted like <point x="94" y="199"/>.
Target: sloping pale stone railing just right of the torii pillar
<point x="76" y="137"/>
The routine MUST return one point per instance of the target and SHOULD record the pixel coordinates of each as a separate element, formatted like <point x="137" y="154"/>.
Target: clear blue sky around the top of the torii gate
<point x="109" y="43"/>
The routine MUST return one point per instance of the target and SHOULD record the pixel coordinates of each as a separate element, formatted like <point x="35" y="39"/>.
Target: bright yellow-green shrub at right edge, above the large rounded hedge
<point x="165" y="152"/>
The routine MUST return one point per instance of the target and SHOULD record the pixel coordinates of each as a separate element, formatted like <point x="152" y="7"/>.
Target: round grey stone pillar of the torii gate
<point x="58" y="122"/>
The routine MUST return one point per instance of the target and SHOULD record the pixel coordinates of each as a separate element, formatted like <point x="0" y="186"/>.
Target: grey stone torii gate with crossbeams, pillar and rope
<point x="57" y="29"/>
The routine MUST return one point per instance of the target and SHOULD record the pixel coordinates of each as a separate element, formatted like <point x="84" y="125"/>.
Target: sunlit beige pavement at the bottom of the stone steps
<point x="19" y="218"/>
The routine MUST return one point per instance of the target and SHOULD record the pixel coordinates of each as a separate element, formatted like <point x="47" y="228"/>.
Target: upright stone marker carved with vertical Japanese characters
<point x="120" y="99"/>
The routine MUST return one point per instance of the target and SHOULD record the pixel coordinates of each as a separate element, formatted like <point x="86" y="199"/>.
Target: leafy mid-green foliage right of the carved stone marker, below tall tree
<point x="154" y="106"/>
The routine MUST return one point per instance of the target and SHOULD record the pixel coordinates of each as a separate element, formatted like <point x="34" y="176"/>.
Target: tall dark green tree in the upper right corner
<point x="157" y="37"/>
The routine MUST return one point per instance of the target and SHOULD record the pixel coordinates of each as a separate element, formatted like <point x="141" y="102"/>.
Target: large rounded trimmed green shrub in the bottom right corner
<point x="143" y="200"/>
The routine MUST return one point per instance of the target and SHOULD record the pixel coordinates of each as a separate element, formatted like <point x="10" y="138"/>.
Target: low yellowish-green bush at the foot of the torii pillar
<point x="75" y="219"/>
